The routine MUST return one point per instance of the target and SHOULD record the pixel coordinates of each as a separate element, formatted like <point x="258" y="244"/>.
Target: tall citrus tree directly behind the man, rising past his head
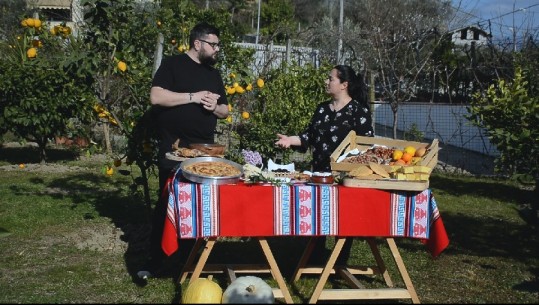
<point x="122" y="38"/>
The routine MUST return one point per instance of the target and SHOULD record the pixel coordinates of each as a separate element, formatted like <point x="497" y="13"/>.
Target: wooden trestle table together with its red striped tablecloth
<point x="208" y="212"/>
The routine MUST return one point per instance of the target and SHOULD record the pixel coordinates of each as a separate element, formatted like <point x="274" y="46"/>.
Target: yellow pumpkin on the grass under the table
<point x="202" y="291"/>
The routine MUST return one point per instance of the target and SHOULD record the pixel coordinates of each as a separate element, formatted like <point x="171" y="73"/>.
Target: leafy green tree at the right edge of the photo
<point x="509" y="111"/>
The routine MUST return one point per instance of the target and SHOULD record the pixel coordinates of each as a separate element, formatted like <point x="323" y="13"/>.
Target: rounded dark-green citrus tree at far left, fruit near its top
<point x="44" y="88"/>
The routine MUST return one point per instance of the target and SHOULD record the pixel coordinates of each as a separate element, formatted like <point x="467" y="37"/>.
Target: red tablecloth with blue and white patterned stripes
<point x="244" y="210"/>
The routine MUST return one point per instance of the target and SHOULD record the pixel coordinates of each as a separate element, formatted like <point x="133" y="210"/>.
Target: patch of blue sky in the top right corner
<point x="500" y="14"/>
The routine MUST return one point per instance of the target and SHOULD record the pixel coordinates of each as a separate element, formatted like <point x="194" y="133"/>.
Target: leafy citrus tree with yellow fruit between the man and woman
<point x="284" y="105"/>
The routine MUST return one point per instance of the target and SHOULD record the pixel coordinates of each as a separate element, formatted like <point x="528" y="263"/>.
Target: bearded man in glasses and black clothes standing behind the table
<point x="188" y="96"/>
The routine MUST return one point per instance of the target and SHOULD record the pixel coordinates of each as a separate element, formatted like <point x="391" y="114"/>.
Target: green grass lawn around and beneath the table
<point x="79" y="237"/>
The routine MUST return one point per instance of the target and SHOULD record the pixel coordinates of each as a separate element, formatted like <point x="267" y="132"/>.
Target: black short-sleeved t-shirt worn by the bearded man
<point x="190" y="123"/>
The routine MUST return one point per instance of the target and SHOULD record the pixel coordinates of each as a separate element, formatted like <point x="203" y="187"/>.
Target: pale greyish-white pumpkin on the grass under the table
<point x="248" y="290"/>
